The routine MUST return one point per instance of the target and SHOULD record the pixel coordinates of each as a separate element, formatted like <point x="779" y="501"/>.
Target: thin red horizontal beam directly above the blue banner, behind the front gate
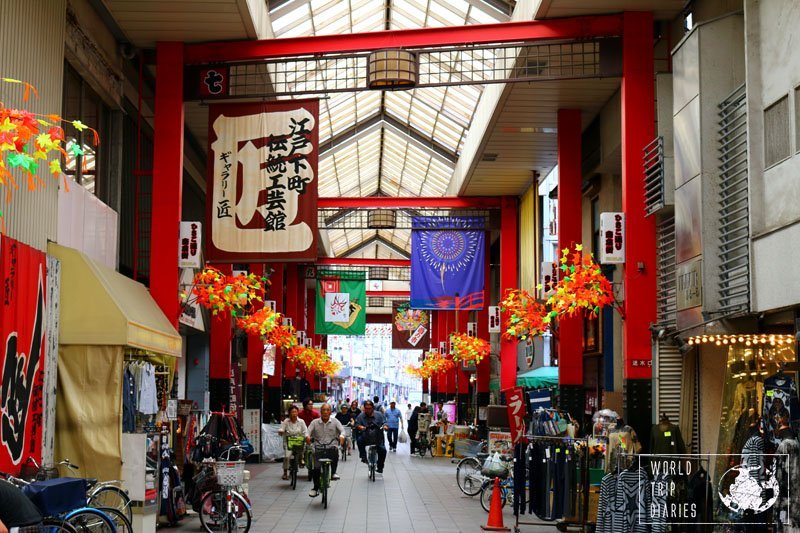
<point x="441" y="202"/>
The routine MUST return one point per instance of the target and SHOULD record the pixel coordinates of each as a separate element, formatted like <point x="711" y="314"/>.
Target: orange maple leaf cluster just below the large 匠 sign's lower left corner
<point x="219" y="292"/>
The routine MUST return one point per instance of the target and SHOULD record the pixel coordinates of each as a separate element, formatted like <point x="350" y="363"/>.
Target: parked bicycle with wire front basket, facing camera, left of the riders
<point x="226" y="508"/>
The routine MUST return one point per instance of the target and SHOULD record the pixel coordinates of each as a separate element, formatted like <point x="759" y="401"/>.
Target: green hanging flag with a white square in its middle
<point x="341" y="303"/>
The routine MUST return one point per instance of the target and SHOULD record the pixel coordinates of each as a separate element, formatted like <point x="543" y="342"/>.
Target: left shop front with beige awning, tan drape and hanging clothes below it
<point x="110" y="329"/>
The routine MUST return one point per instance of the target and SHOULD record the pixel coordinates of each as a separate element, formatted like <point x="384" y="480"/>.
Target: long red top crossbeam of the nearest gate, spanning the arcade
<point x="505" y="32"/>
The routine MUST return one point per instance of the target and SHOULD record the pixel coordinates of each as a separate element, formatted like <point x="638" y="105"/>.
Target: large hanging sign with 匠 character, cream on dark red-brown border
<point x="262" y="187"/>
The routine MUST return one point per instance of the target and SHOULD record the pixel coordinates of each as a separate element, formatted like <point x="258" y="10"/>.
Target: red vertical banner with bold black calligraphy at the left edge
<point x="22" y="330"/>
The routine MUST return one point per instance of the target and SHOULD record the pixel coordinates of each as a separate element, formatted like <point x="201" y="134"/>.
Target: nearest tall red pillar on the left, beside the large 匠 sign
<point x="167" y="178"/>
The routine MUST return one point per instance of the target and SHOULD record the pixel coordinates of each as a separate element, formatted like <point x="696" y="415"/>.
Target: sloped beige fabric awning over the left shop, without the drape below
<point x="100" y="306"/>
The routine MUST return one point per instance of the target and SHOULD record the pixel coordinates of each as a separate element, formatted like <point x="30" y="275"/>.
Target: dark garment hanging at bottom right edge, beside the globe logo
<point x="787" y="507"/>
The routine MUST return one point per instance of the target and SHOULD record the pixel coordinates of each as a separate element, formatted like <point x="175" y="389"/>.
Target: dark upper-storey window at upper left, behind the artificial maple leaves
<point x="83" y="103"/>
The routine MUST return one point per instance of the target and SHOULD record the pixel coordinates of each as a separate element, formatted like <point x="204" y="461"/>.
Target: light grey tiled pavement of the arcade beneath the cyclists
<point x="413" y="495"/>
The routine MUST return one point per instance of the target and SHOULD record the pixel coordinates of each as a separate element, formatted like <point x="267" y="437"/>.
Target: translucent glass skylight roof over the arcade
<point x="403" y="143"/>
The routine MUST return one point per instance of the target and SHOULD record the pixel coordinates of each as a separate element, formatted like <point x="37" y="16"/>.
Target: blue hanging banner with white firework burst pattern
<point x="447" y="262"/>
